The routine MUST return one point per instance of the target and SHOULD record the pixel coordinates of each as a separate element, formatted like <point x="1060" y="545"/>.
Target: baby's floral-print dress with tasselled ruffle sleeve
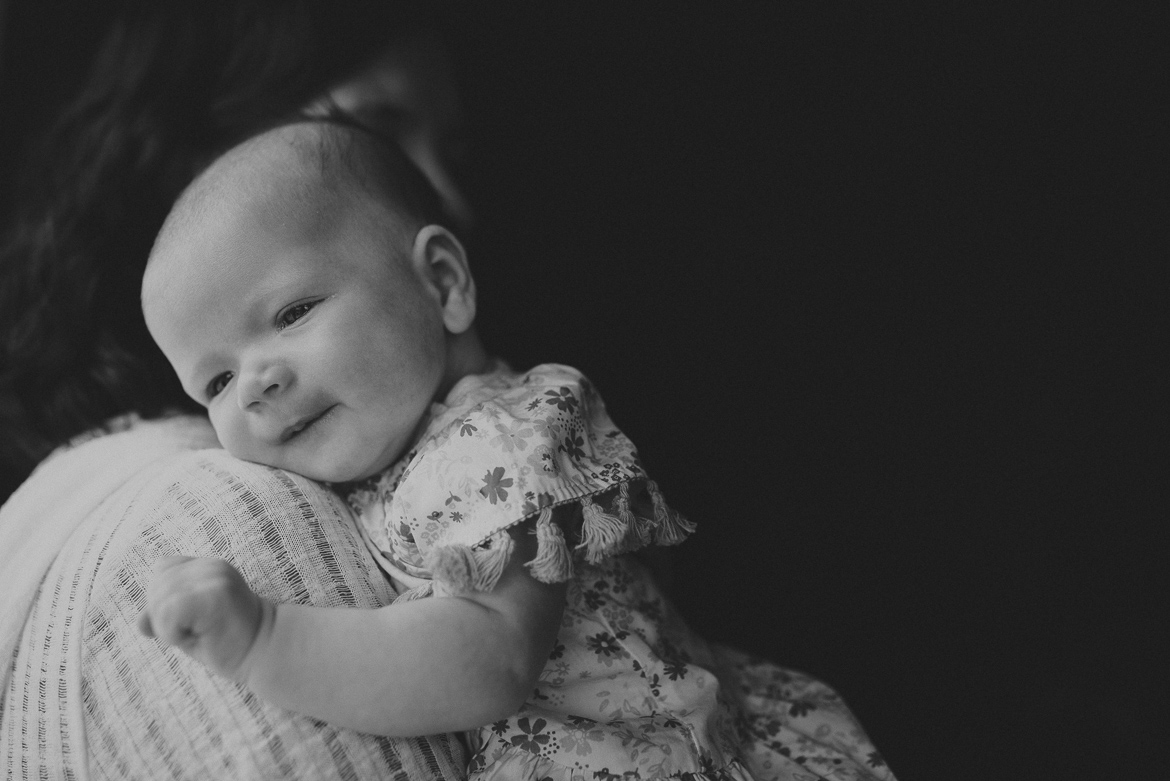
<point x="629" y="692"/>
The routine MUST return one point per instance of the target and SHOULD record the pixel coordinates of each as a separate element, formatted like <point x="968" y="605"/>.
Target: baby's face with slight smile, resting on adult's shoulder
<point x="305" y="329"/>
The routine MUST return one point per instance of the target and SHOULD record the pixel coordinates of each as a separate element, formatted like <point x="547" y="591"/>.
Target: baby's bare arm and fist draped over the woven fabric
<point x="439" y="665"/>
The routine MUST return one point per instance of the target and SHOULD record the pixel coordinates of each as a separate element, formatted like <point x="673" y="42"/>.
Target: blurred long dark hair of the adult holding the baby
<point x="173" y="86"/>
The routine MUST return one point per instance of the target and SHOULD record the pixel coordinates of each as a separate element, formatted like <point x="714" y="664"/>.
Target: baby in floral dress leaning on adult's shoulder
<point x="306" y="294"/>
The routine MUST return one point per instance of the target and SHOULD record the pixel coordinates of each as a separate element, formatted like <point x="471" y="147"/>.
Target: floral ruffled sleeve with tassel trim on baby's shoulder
<point x="507" y="448"/>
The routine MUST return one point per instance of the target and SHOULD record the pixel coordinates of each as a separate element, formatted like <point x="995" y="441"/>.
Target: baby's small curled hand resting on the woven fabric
<point x="205" y="609"/>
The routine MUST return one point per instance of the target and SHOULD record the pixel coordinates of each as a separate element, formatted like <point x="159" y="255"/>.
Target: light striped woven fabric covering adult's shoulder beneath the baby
<point x="87" y="697"/>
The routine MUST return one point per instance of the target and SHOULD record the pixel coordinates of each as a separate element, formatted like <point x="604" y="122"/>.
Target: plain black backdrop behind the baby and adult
<point x="876" y="293"/>
